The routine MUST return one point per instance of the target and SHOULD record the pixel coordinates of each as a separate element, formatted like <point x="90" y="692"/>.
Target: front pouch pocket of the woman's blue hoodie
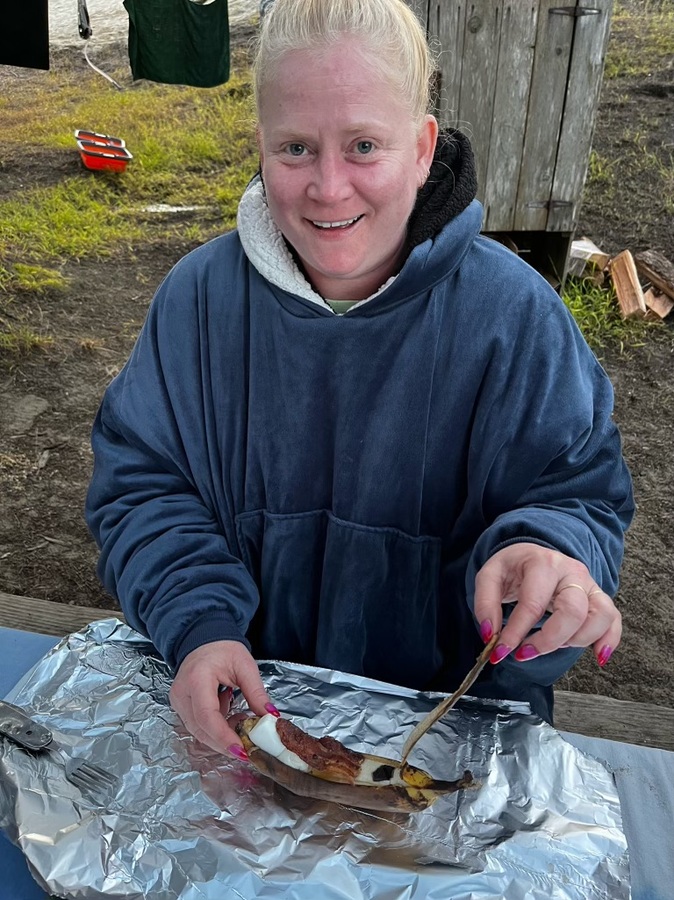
<point x="346" y="596"/>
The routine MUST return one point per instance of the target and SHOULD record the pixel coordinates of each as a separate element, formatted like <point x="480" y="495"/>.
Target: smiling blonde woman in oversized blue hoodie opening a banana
<point x="354" y="429"/>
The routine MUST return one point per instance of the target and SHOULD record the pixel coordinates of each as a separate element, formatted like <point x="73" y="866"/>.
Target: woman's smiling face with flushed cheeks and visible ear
<point x="342" y="161"/>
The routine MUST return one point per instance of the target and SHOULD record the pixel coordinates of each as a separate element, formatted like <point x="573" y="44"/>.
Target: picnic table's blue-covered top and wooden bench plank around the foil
<point x="636" y="741"/>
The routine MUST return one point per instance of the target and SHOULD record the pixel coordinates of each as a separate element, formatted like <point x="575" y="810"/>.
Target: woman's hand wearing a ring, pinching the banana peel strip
<point x="538" y="580"/>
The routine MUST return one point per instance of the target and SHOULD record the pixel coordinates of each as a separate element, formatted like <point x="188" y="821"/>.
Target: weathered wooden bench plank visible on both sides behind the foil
<point x="590" y="714"/>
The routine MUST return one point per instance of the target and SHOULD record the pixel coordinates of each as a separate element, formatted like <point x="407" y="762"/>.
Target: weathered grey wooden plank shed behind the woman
<point x="522" y="79"/>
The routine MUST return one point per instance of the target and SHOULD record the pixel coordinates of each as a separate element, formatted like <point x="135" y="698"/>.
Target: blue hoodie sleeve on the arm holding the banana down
<point x="152" y="501"/>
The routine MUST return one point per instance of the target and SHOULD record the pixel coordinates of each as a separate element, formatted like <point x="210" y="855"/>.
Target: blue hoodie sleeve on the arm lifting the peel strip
<point x="546" y="458"/>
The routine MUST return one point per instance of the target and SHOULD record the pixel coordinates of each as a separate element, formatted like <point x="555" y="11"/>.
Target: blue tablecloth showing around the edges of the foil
<point x="645" y="779"/>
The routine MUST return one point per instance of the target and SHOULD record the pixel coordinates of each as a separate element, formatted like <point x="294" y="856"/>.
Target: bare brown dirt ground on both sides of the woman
<point x="48" y="400"/>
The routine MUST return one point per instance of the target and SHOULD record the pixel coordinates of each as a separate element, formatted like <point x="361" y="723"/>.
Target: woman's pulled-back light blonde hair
<point x="390" y="33"/>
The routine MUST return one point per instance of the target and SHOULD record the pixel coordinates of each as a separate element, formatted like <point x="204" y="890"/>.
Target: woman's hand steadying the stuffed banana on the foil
<point x="197" y="697"/>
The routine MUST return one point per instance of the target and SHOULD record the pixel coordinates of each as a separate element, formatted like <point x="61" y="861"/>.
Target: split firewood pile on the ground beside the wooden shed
<point x="644" y="282"/>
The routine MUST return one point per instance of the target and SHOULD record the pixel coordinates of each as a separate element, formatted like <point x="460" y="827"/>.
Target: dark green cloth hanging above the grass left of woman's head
<point x="178" y="41"/>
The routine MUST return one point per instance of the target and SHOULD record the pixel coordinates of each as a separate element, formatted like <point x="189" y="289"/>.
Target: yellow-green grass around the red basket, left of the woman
<point x="190" y="147"/>
